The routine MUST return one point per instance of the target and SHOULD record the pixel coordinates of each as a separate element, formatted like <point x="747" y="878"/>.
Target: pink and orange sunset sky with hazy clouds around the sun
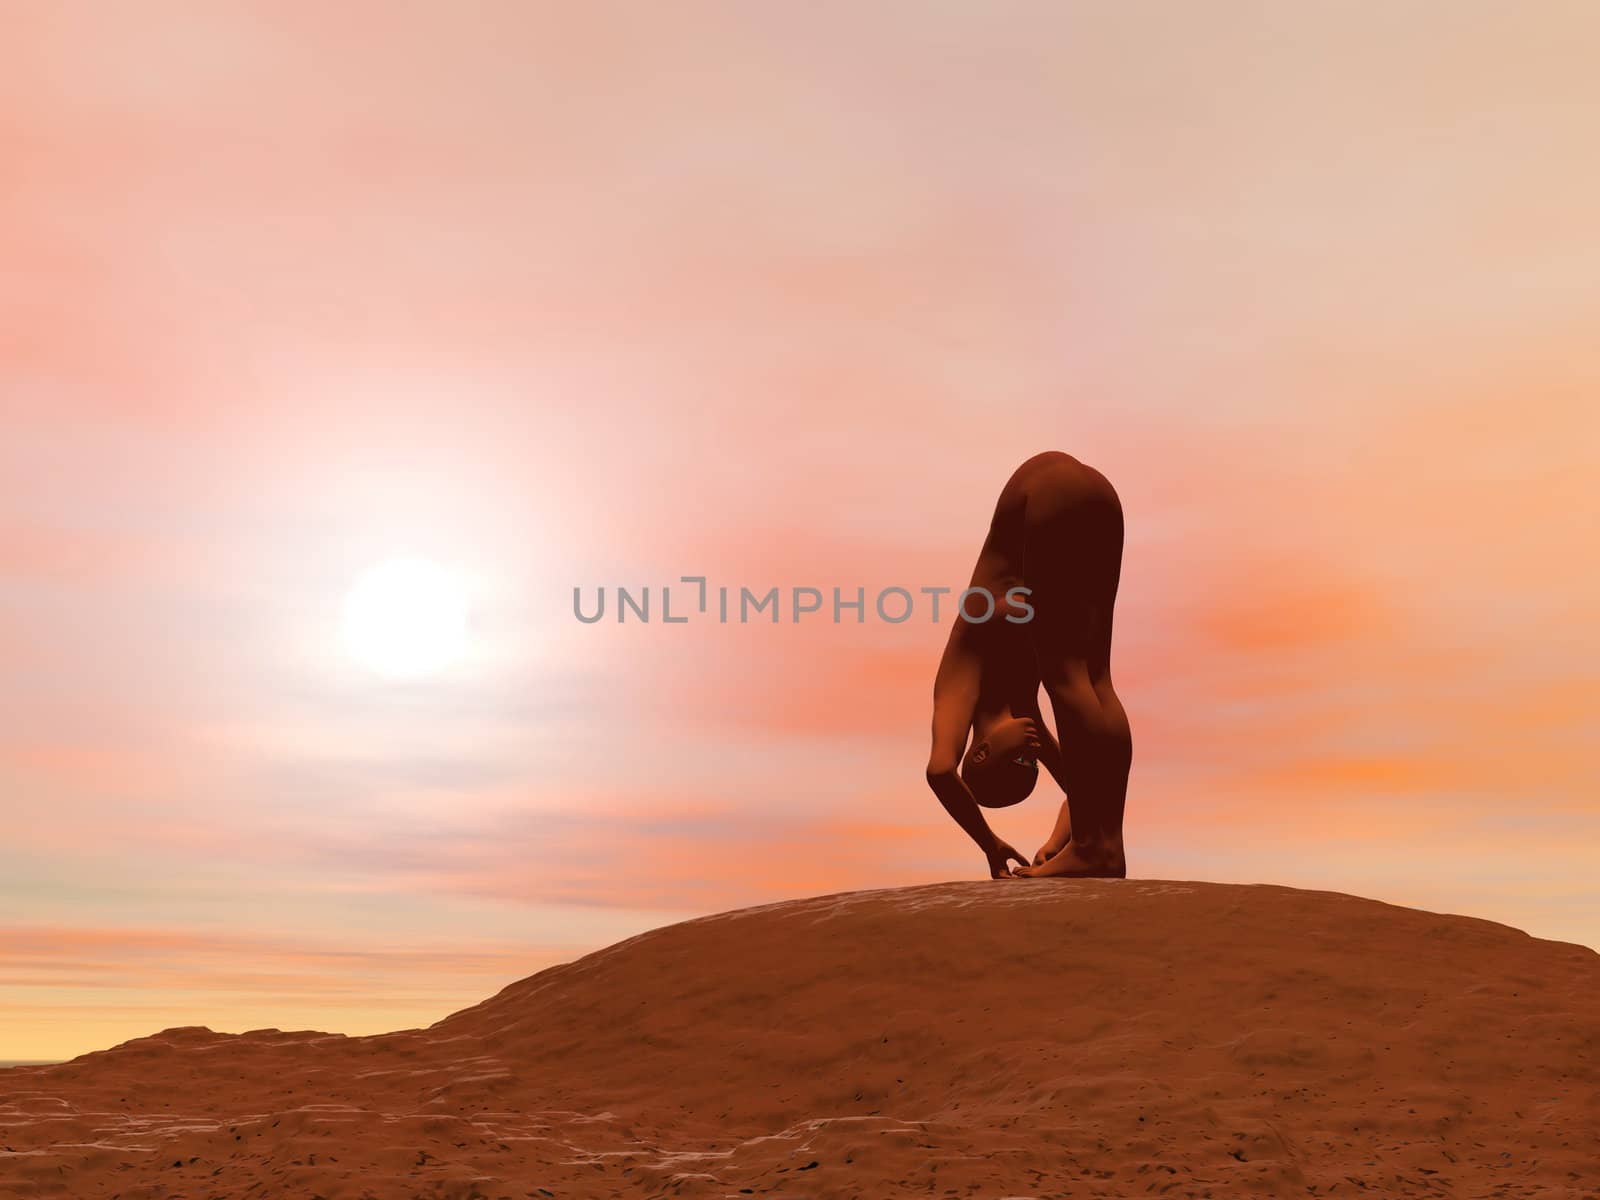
<point x="596" y="295"/>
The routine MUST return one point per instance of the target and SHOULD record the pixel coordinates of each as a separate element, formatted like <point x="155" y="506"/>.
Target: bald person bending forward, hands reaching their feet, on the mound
<point x="1058" y="532"/>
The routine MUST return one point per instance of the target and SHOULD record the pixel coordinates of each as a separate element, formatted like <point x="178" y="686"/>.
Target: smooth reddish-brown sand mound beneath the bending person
<point x="985" y="1039"/>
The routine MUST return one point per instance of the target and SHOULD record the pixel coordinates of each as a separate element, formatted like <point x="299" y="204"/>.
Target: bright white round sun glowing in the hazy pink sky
<point x="407" y="618"/>
